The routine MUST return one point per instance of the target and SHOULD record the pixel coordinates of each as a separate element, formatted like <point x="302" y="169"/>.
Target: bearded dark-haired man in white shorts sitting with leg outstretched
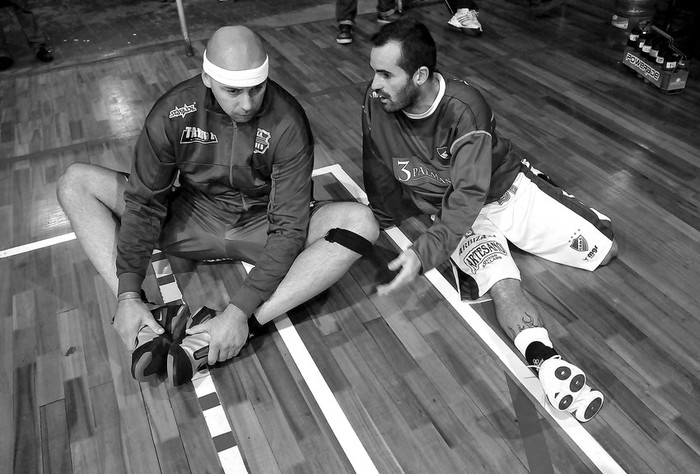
<point x="430" y="146"/>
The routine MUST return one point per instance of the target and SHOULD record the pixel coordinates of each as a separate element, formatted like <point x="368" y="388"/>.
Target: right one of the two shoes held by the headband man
<point x="189" y="356"/>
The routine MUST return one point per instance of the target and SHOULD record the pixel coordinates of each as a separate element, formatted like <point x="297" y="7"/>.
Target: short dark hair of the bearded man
<point x="417" y="44"/>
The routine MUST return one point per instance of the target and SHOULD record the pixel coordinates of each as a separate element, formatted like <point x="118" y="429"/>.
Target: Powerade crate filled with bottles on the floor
<point x="651" y="54"/>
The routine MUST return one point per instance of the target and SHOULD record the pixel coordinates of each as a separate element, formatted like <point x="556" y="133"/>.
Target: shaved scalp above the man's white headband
<point x="236" y="48"/>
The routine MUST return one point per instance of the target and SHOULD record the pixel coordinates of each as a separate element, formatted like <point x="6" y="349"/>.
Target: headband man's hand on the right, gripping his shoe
<point x="228" y="334"/>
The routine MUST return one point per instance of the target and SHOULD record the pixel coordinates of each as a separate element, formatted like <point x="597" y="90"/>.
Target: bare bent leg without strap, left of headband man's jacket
<point x="93" y="199"/>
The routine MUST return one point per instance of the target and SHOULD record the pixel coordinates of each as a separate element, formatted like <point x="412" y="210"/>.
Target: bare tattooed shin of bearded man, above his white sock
<point x="515" y="312"/>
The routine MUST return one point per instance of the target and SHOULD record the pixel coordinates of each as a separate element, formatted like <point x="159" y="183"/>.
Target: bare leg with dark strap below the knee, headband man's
<point x="322" y="263"/>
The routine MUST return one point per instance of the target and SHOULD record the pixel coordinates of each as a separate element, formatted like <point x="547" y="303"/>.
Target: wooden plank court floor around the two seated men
<point x="411" y="374"/>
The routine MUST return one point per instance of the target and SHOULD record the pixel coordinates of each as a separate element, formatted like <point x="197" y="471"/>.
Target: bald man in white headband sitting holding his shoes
<point x="241" y="149"/>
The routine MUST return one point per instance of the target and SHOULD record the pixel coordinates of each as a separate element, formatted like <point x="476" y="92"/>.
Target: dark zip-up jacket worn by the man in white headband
<point x="228" y="169"/>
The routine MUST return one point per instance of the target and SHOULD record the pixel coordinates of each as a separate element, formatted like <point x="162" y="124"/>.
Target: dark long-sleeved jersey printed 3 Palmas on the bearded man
<point x="447" y="162"/>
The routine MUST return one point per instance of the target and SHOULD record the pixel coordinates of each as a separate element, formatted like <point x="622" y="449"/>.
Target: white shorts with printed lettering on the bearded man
<point x="538" y="218"/>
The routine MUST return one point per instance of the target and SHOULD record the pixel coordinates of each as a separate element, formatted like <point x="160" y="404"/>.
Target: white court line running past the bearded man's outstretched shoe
<point x="587" y="443"/>
